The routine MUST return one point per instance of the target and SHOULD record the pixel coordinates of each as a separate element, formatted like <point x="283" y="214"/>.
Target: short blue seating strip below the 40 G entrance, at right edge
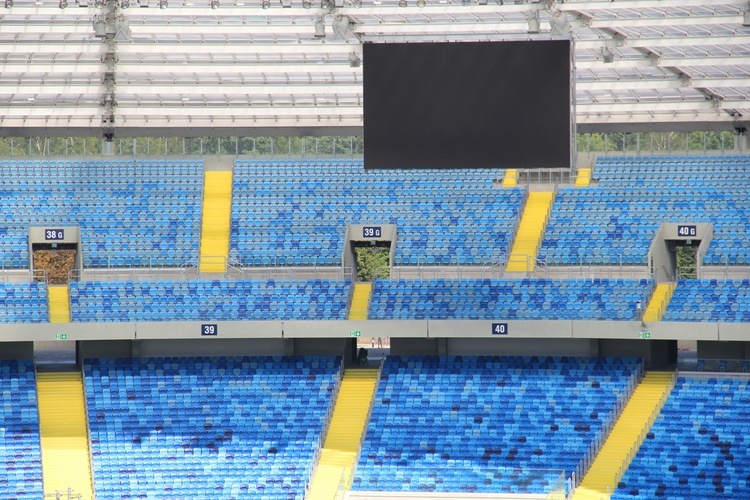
<point x="710" y="300"/>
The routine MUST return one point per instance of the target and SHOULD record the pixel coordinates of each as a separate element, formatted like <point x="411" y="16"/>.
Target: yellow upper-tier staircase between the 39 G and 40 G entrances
<point x="530" y="232"/>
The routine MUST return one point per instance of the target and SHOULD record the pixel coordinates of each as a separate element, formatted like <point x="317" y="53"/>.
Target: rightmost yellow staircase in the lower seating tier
<point x="626" y="437"/>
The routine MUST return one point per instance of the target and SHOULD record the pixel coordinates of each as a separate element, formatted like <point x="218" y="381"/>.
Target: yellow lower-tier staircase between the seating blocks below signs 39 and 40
<point x="344" y="434"/>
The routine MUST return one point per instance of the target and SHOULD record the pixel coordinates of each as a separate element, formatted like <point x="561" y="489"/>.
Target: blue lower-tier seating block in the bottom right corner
<point x="698" y="446"/>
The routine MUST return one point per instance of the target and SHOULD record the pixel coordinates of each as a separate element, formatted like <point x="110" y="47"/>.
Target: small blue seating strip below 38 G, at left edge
<point x="23" y="303"/>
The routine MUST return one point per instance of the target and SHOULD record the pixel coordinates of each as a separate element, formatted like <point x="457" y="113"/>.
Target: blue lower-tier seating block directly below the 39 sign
<point x="207" y="428"/>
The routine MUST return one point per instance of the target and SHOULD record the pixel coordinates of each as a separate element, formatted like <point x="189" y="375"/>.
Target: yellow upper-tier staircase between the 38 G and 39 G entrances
<point x="217" y="214"/>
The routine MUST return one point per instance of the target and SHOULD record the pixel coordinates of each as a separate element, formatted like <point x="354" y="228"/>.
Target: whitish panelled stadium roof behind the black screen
<point x="250" y="67"/>
